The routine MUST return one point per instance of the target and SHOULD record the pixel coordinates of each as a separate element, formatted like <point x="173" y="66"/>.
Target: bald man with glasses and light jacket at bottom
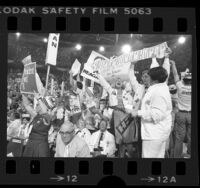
<point x="68" y="144"/>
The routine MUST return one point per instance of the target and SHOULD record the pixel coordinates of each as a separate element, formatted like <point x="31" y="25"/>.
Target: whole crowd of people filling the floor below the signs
<point x="126" y="119"/>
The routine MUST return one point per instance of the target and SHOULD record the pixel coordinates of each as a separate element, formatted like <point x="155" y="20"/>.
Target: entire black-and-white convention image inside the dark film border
<point x="73" y="95"/>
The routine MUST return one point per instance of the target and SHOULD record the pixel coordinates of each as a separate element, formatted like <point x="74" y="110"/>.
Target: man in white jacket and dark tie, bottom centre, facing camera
<point x="102" y="142"/>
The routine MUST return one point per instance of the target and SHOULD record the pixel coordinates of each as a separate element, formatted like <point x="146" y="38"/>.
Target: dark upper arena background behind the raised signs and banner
<point x="32" y="44"/>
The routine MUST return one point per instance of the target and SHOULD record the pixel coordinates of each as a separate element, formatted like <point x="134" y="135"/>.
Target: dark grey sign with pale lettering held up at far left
<point x="28" y="83"/>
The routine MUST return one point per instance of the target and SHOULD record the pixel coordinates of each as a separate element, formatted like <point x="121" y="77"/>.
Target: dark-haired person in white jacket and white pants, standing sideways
<point x="155" y="113"/>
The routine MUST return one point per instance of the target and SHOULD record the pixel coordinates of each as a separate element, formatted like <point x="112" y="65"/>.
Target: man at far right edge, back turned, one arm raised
<point x="182" y="126"/>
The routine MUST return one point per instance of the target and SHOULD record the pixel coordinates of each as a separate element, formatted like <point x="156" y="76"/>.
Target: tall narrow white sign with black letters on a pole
<point x="52" y="48"/>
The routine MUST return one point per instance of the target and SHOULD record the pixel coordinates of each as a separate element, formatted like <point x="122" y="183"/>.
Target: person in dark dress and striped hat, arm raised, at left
<point x="37" y="145"/>
